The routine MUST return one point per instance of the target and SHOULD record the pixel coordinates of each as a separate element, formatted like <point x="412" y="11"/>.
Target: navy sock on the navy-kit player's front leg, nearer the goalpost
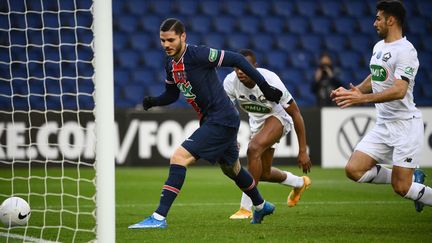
<point x="173" y="184"/>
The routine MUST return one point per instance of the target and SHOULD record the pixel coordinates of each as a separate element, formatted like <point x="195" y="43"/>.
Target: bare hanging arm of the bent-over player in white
<point x="303" y="157"/>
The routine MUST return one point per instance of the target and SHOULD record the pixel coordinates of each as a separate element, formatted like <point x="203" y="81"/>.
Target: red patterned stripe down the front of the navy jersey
<point x="179" y="75"/>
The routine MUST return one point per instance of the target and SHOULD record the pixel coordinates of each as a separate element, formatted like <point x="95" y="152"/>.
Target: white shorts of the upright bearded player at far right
<point x="397" y="142"/>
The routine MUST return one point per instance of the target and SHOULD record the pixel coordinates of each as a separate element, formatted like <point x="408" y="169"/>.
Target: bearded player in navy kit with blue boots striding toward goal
<point x="191" y="71"/>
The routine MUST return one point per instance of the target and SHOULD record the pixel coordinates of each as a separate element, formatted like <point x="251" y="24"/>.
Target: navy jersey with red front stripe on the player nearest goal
<point x="196" y="77"/>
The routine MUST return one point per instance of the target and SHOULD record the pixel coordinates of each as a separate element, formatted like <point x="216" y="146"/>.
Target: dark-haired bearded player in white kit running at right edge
<point x="397" y="137"/>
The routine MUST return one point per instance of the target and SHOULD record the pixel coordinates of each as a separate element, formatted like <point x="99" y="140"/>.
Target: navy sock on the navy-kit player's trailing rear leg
<point x="247" y="184"/>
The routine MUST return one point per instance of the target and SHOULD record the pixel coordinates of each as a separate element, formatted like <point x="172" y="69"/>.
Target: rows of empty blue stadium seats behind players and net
<point x="288" y="37"/>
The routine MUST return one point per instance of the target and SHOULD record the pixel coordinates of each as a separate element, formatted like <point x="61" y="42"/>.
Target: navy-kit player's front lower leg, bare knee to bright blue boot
<point x="177" y="173"/>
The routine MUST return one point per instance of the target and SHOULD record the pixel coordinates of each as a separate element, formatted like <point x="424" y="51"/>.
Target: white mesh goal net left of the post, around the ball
<point x="48" y="117"/>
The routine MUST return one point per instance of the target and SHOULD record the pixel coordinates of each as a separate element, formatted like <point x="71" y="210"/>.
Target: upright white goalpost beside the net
<point x="104" y="119"/>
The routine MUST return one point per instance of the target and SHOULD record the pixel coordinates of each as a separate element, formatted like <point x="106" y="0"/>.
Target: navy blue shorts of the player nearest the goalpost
<point x="214" y="143"/>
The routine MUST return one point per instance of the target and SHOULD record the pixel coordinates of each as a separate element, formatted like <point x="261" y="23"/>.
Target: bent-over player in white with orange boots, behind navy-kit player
<point x="269" y="121"/>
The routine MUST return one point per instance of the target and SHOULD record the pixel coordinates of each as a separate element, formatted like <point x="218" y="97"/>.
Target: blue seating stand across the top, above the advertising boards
<point x="288" y="36"/>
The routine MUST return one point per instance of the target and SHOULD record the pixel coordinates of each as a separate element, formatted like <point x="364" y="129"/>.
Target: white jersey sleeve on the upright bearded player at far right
<point x="406" y="65"/>
